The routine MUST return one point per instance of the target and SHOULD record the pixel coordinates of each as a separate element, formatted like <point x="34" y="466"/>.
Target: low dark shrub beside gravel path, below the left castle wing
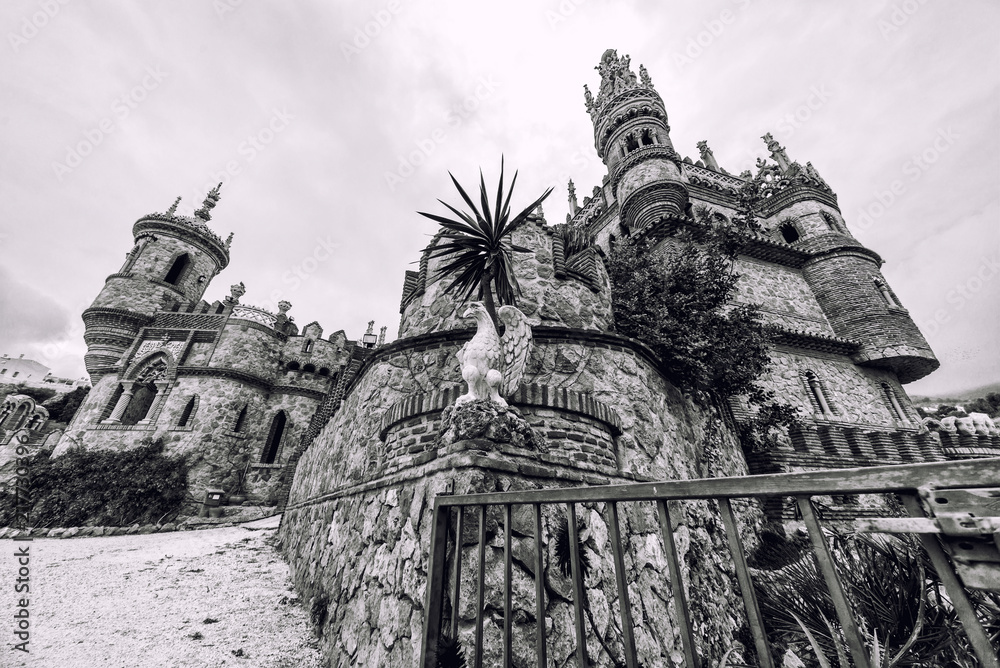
<point x="102" y="487"/>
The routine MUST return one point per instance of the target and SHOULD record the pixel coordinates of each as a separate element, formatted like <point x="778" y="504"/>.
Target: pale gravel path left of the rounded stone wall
<point x="146" y="601"/>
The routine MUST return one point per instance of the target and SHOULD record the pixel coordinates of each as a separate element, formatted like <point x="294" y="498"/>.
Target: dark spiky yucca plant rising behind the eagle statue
<point x="477" y="247"/>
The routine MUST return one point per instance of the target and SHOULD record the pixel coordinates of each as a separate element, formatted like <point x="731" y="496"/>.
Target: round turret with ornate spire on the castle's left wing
<point x="172" y="261"/>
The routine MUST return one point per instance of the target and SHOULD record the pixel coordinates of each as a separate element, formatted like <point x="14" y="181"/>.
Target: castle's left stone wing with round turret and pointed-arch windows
<point x="236" y="387"/>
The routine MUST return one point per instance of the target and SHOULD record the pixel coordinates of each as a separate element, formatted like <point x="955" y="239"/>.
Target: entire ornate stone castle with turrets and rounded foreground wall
<point x="354" y="440"/>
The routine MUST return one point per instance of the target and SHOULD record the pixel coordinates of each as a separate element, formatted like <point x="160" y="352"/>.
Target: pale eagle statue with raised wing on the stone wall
<point x="491" y="365"/>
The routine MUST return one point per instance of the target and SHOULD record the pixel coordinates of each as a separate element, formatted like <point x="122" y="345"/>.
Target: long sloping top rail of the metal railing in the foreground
<point x="866" y="480"/>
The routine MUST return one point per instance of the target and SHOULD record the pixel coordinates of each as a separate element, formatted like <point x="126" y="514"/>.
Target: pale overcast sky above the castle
<point x="331" y="125"/>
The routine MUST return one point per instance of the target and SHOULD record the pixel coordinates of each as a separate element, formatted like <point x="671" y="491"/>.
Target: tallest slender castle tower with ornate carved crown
<point x="632" y="137"/>
